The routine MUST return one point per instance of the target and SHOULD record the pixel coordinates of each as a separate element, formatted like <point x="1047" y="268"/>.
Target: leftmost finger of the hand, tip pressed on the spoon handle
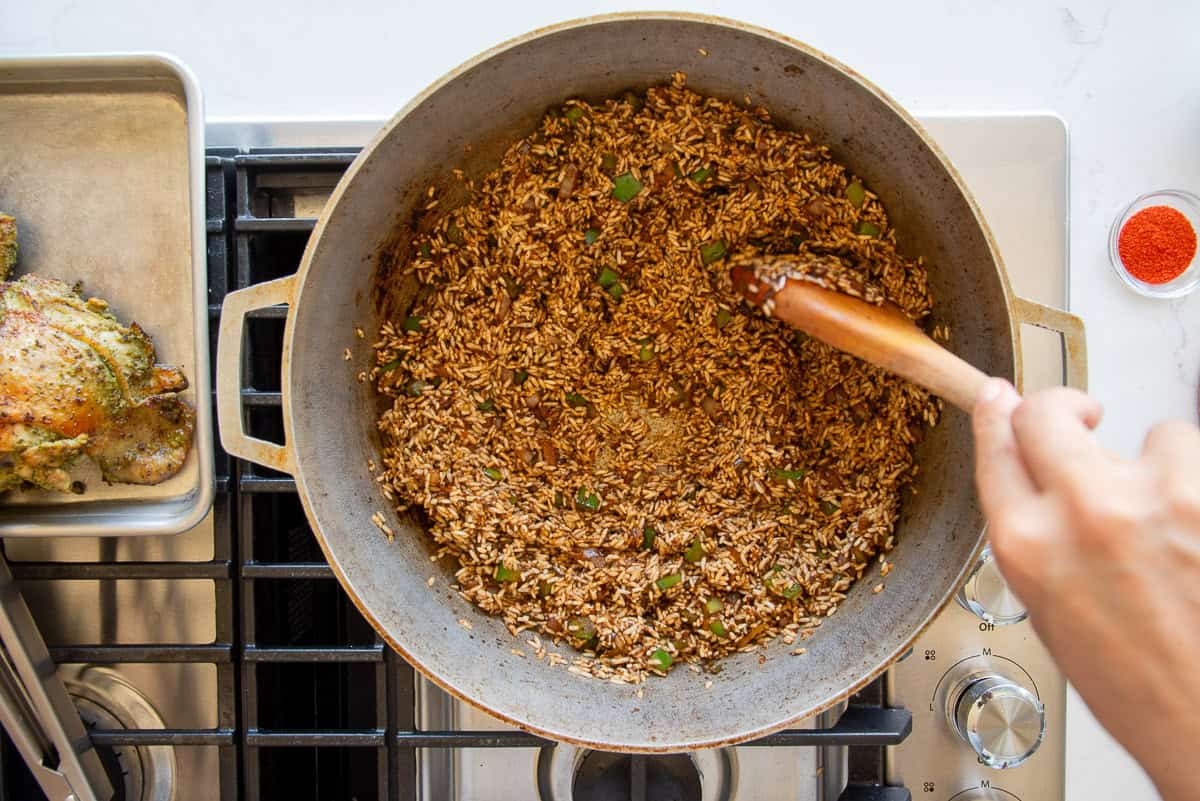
<point x="1000" y="473"/>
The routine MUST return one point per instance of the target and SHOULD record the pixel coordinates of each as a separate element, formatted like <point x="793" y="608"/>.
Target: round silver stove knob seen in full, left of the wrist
<point x="998" y="718"/>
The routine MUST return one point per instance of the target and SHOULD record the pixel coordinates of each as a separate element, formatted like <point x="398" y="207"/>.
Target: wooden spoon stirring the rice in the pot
<point x="881" y="335"/>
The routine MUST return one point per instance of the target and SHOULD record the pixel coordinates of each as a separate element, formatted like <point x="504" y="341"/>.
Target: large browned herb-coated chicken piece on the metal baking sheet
<point x="75" y="382"/>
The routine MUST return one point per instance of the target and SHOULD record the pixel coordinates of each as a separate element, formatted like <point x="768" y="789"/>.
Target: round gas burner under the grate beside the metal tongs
<point x="106" y="701"/>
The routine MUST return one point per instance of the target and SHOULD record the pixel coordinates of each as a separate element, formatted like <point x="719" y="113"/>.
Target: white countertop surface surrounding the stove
<point x="1126" y="79"/>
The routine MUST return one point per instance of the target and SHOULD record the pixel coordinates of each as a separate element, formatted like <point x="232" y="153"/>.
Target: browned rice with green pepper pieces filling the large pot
<point x="621" y="455"/>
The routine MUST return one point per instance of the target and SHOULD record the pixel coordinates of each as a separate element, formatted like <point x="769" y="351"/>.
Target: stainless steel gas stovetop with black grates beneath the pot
<point x="227" y="664"/>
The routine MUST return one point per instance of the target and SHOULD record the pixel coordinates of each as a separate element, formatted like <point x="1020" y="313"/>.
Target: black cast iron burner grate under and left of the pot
<point x="311" y="704"/>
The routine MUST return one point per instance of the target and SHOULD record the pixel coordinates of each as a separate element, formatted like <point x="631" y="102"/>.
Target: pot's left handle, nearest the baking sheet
<point x="230" y="360"/>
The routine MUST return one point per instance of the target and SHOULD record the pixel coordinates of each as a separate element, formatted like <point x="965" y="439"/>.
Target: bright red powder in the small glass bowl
<point x="1157" y="244"/>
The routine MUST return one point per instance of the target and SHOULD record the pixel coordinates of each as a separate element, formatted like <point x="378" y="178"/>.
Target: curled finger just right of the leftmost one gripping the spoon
<point x="1054" y="436"/>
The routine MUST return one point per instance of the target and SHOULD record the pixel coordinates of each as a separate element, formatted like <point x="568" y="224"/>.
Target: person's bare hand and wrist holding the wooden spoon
<point x="1106" y="555"/>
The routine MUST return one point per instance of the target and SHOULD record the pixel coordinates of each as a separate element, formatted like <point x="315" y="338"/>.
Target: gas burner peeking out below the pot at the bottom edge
<point x="571" y="774"/>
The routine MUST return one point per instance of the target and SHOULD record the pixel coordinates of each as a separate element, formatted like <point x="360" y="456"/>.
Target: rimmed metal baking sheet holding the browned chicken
<point x="103" y="165"/>
